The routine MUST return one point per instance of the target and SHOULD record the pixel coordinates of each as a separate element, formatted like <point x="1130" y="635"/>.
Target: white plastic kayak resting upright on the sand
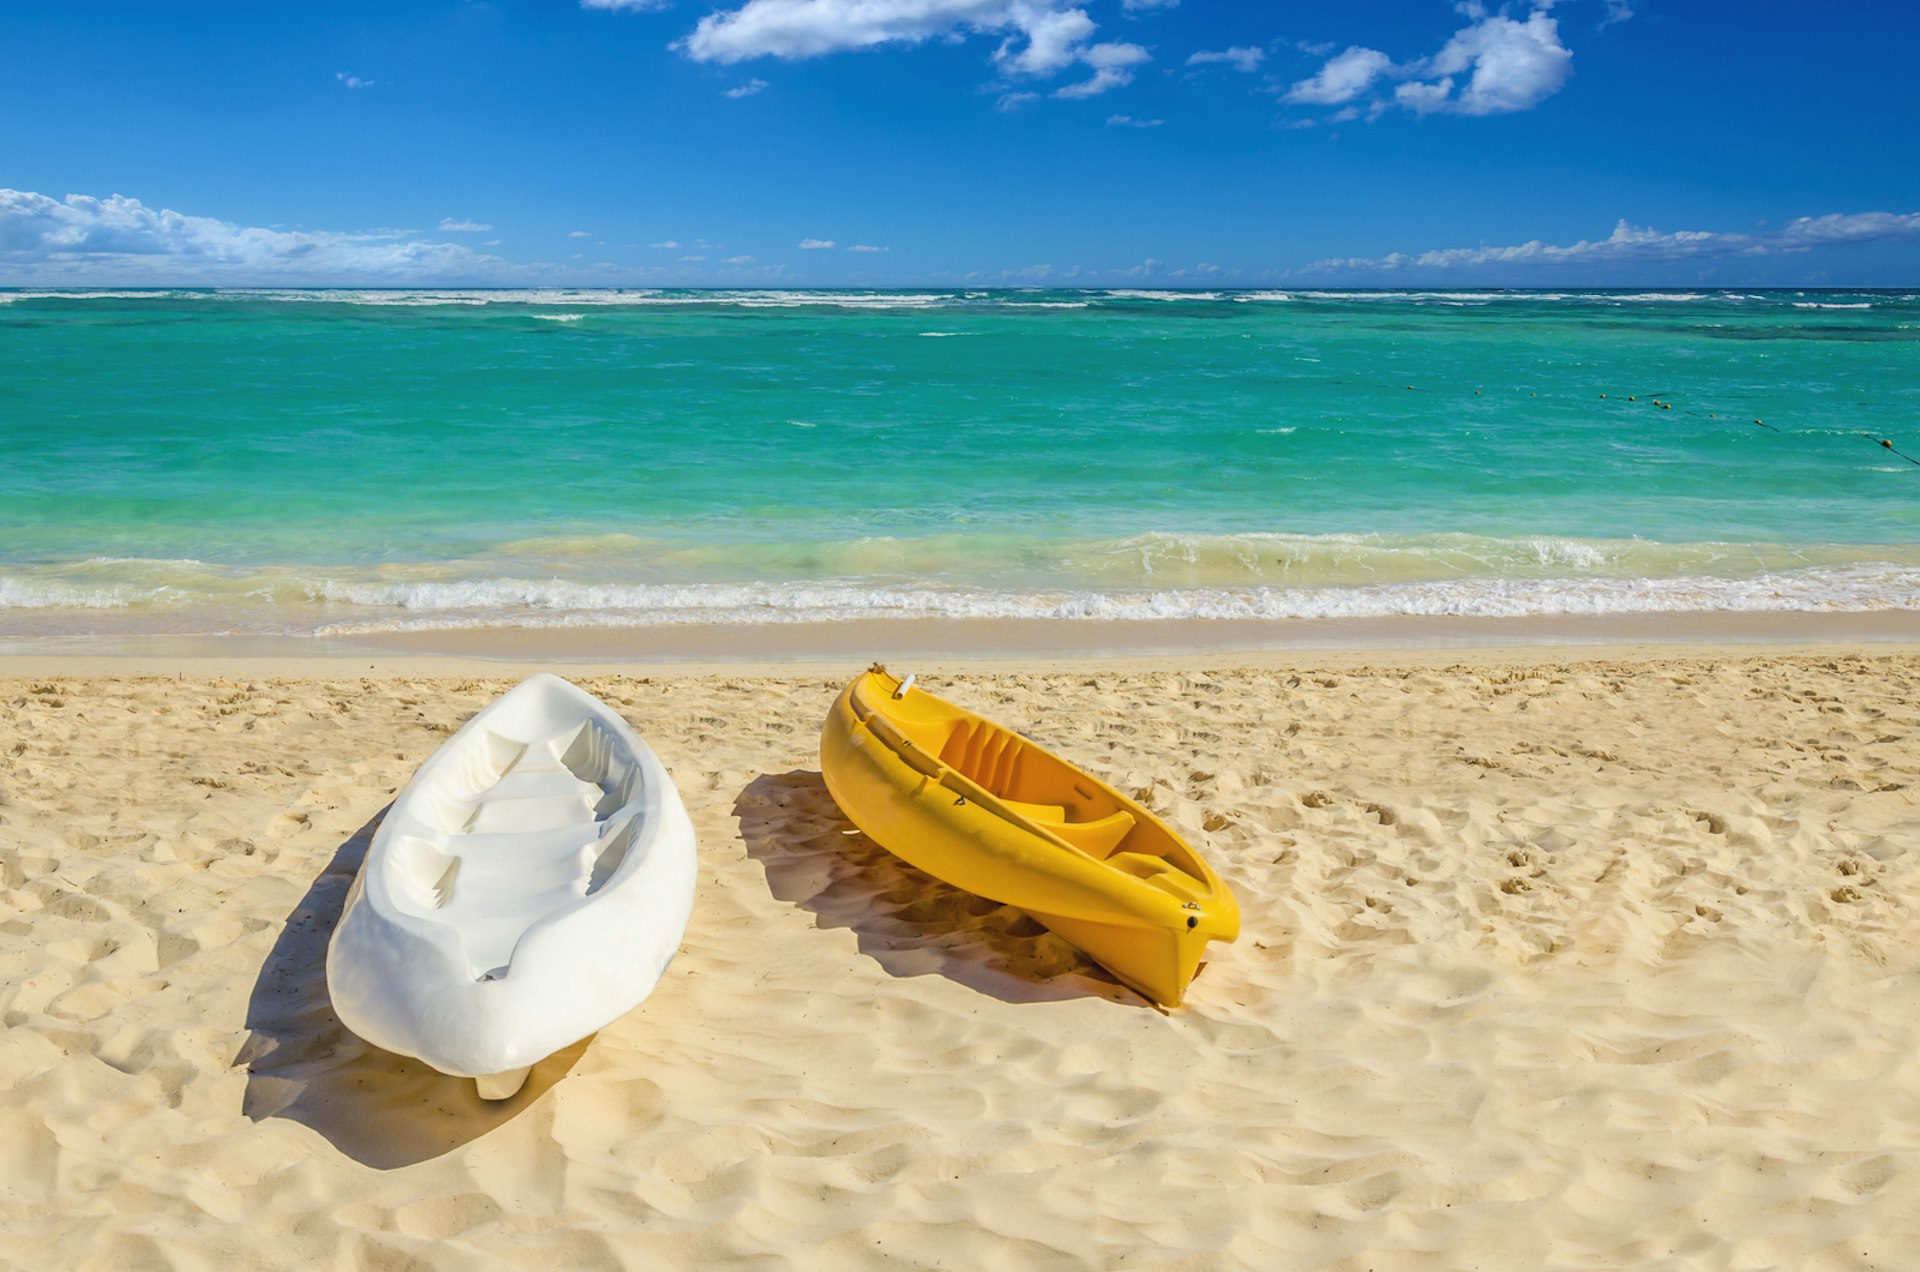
<point x="527" y="889"/>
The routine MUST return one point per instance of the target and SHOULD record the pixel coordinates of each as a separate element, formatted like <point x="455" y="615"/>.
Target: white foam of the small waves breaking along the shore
<point x="1573" y="581"/>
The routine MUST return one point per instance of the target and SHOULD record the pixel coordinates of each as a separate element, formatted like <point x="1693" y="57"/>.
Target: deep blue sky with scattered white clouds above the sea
<point x="1157" y="143"/>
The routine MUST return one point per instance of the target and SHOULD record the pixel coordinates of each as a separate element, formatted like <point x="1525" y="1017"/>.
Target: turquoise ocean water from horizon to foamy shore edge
<point x="312" y="464"/>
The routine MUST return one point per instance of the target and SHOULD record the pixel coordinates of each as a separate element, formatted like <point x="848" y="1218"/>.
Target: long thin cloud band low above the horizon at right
<point x="1635" y="245"/>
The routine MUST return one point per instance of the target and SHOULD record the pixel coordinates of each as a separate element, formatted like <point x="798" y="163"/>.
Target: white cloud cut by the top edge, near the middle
<point x="1040" y="37"/>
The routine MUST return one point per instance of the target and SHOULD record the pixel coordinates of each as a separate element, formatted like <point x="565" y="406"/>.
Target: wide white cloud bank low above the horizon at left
<point x="124" y="241"/>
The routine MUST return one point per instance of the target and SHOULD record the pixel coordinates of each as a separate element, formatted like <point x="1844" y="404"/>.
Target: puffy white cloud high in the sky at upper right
<point x="1495" y="66"/>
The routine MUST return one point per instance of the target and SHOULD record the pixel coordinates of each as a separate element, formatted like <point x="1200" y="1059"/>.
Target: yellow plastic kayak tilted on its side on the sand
<point x="986" y="810"/>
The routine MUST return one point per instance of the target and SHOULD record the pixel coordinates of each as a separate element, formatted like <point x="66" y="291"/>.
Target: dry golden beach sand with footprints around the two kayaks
<point x="1550" y="960"/>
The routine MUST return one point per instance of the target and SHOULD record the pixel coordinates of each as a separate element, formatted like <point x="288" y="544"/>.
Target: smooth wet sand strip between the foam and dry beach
<point x="992" y="645"/>
